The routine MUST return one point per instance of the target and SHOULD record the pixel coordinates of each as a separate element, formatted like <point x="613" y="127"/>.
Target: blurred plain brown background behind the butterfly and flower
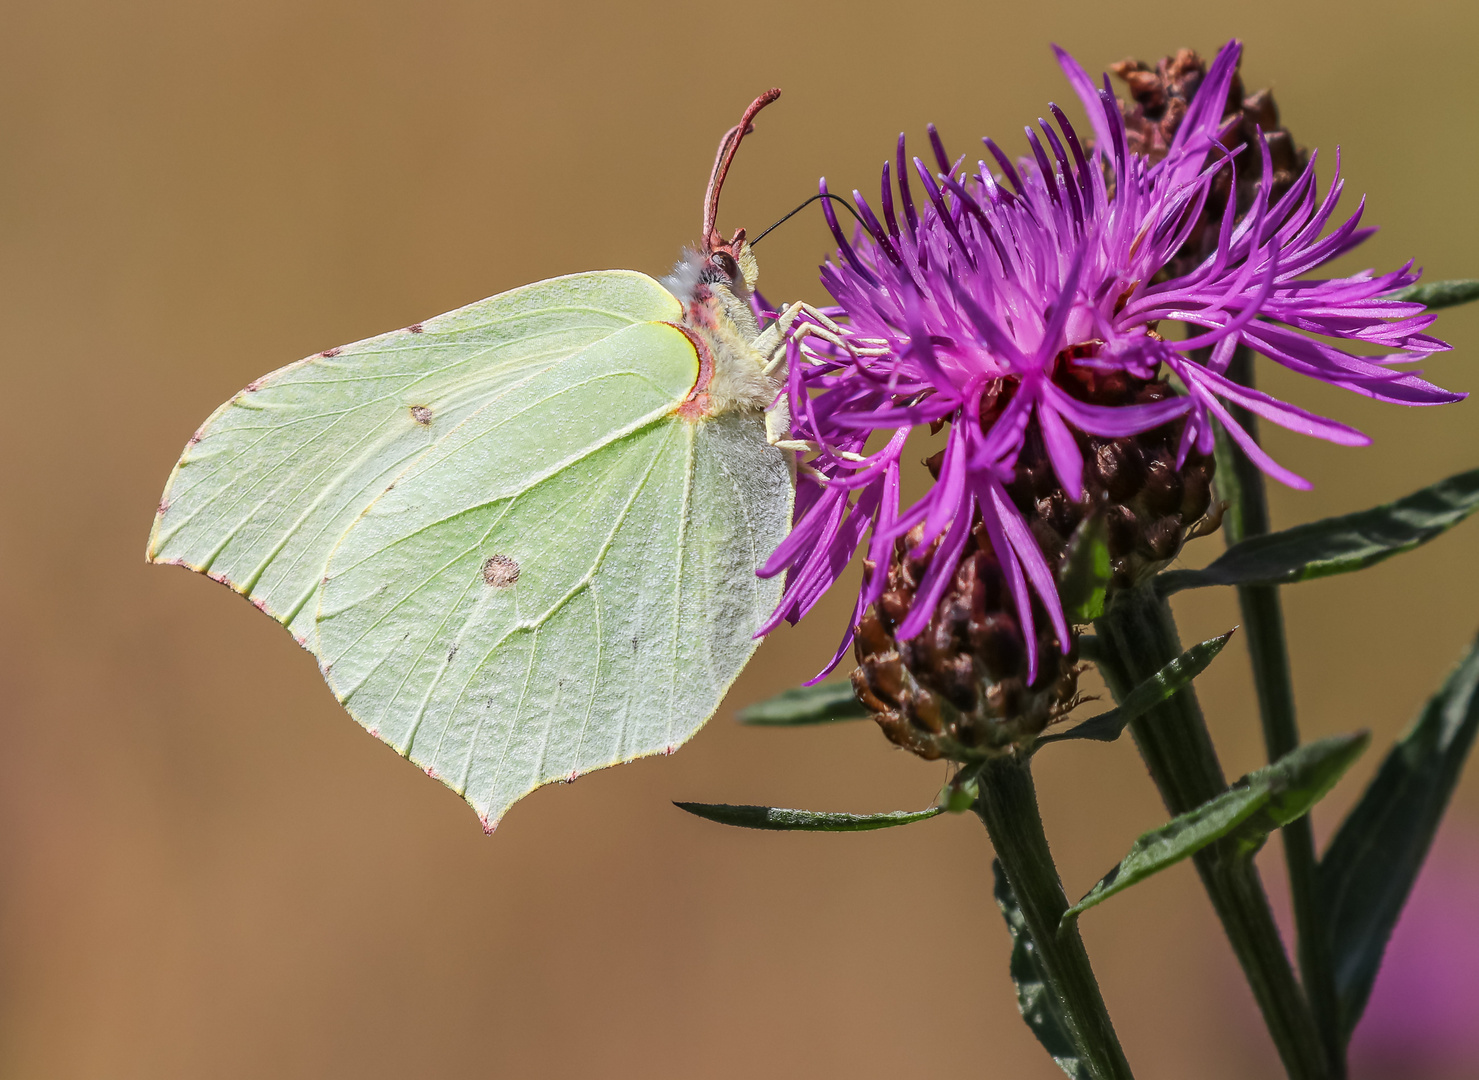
<point x="208" y="871"/>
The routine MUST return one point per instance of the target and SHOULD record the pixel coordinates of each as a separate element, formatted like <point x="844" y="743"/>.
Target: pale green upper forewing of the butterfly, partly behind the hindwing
<point x="274" y="477"/>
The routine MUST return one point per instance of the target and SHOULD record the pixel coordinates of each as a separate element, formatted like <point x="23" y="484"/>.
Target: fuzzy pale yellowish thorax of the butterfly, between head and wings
<point x="715" y="291"/>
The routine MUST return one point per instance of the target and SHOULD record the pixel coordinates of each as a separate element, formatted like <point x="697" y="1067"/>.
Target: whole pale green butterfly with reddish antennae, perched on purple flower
<point x="520" y="538"/>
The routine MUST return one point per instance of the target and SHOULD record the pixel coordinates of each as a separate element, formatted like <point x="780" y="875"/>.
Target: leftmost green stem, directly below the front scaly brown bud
<point x="1008" y="806"/>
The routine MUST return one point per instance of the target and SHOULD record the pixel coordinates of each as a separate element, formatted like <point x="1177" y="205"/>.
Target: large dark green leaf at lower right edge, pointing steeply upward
<point x="1370" y="868"/>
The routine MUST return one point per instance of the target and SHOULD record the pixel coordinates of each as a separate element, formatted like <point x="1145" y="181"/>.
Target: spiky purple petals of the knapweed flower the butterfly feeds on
<point x="1024" y="303"/>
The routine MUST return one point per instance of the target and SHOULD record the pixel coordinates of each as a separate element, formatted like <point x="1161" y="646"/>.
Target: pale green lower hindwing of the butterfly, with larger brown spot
<point x="564" y="582"/>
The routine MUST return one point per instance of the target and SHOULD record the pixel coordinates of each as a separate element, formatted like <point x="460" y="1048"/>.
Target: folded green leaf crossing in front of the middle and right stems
<point x="1245" y="814"/>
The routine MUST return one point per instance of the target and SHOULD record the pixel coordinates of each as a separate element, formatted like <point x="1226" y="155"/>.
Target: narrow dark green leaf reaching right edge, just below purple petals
<point x="1338" y="545"/>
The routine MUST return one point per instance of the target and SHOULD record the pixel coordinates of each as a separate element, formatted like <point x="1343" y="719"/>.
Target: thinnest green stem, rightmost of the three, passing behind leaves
<point x="1240" y="482"/>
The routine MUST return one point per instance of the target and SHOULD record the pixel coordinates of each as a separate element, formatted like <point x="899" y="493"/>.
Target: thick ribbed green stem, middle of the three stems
<point x="1138" y="637"/>
